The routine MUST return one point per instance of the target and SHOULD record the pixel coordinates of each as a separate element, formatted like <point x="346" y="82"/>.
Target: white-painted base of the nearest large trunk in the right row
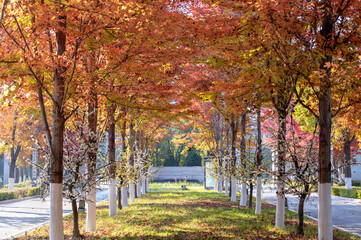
<point x="324" y="211"/>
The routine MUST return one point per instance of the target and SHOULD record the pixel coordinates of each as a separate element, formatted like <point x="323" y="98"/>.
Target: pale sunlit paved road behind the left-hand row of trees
<point x="18" y="216"/>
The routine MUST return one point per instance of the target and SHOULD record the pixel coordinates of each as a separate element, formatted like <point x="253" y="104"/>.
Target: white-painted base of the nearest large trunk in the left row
<point x="56" y="212"/>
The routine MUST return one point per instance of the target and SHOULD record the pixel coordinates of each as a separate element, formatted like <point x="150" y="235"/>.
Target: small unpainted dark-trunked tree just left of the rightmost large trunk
<point x="300" y="175"/>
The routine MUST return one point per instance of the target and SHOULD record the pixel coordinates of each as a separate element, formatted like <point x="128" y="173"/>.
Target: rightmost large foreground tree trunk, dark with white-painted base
<point x="324" y="173"/>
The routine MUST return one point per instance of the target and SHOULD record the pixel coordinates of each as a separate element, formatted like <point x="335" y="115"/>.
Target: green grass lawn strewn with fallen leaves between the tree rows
<point x="170" y="213"/>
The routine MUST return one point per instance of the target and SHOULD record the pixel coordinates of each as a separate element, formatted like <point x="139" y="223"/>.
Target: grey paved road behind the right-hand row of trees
<point x="346" y="212"/>
